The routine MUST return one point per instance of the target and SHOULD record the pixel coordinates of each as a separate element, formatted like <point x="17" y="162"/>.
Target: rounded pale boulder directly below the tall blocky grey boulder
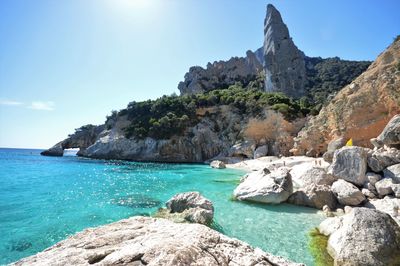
<point x="347" y="193"/>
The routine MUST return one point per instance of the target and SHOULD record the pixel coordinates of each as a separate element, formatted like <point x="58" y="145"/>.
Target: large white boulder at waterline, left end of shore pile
<point x="265" y="186"/>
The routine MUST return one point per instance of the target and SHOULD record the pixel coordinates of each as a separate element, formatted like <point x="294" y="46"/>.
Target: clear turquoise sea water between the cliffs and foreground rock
<point x="45" y="199"/>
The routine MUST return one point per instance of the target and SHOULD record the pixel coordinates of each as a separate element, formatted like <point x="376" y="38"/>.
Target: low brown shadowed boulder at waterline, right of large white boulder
<point x="315" y="196"/>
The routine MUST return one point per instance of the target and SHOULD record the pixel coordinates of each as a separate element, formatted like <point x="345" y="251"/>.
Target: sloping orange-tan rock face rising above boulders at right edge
<point x="360" y="110"/>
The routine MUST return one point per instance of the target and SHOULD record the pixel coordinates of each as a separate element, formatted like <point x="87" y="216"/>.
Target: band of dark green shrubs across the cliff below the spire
<point x="171" y="115"/>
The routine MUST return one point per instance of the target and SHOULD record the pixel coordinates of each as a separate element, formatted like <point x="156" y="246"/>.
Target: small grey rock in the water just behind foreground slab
<point x="191" y="207"/>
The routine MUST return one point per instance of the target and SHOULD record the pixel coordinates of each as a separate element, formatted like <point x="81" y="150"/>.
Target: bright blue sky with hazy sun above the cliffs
<point x="67" y="63"/>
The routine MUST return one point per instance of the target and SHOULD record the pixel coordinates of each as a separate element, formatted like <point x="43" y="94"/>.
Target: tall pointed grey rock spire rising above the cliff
<point x="284" y="64"/>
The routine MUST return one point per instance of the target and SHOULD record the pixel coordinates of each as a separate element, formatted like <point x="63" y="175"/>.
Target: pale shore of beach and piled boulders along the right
<point x="358" y="189"/>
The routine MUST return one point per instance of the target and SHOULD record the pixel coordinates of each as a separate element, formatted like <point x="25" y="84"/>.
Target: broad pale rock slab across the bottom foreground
<point x="150" y="241"/>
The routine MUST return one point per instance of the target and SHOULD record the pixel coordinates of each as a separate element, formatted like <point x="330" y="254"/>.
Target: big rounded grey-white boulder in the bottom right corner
<point x="365" y="237"/>
